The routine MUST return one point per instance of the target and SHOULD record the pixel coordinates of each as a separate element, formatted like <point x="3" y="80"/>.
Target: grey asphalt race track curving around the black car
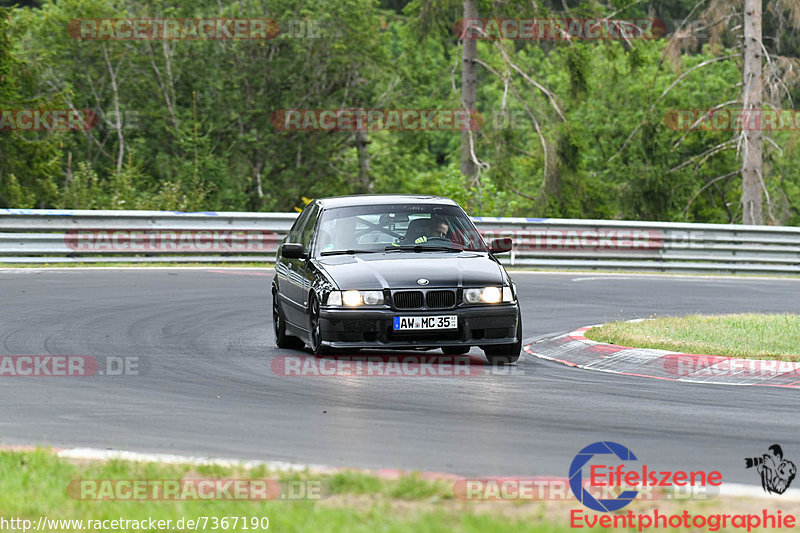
<point x="205" y="343"/>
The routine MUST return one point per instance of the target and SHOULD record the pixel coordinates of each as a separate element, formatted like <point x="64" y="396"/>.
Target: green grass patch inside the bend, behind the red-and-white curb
<point x="742" y="335"/>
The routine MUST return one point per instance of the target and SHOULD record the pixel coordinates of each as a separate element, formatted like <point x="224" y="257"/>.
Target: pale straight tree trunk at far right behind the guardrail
<point x="752" y="179"/>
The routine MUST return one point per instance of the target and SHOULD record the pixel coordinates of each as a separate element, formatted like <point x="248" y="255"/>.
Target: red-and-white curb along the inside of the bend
<point x="574" y="349"/>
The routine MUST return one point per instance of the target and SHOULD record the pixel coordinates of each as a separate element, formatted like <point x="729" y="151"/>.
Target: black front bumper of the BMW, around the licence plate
<point x="373" y="328"/>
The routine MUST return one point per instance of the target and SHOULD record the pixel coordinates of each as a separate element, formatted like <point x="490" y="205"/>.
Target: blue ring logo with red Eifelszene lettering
<point x="602" y="473"/>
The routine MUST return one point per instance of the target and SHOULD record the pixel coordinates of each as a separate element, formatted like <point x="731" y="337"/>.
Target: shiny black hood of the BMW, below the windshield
<point x="398" y="270"/>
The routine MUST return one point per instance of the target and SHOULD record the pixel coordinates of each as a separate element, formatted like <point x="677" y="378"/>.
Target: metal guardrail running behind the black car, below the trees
<point x="59" y="236"/>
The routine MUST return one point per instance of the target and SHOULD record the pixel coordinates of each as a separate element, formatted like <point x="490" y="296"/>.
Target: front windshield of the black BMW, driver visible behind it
<point x="379" y="228"/>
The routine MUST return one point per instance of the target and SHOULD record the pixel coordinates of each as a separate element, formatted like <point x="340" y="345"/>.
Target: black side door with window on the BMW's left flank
<point x="297" y="285"/>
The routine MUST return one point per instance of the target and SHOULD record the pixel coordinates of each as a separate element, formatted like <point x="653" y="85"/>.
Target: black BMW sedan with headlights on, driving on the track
<point x="393" y="272"/>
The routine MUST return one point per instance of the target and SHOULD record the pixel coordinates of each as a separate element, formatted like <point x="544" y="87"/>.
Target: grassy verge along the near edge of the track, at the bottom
<point x="35" y="484"/>
